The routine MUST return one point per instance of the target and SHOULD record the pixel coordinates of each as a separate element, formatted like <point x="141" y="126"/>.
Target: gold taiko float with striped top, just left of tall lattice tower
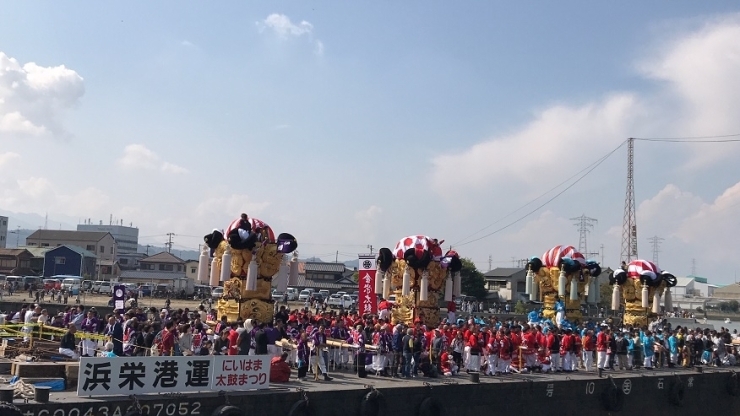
<point x="563" y="273"/>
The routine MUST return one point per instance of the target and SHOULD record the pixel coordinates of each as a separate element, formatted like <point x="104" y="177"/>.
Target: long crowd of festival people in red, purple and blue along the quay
<point x="345" y="341"/>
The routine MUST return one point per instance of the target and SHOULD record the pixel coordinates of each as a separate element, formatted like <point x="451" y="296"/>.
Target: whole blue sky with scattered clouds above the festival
<point x="351" y="124"/>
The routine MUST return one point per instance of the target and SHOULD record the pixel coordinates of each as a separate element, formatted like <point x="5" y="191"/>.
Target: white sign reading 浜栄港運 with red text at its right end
<point x="137" y="375"/>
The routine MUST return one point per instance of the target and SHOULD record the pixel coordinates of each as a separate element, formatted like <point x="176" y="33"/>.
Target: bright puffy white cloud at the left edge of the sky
<point x="33" y="98"/>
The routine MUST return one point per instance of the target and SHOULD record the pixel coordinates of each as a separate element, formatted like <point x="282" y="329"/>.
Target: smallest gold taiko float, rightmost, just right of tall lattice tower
<point x="638" y="286"/>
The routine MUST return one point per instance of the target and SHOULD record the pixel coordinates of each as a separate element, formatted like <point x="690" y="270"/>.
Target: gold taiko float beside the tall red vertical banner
<point x="419" y="276"/>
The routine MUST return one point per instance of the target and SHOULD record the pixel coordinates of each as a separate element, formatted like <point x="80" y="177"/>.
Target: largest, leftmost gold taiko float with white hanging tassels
<point x="245" y="259"/>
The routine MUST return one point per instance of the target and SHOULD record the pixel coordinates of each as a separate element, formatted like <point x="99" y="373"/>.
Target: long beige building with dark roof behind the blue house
<point x="99" y="242"/>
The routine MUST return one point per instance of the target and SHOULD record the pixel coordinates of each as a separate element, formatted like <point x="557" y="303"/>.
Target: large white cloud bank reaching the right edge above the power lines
<point x="698" y="94"/>
